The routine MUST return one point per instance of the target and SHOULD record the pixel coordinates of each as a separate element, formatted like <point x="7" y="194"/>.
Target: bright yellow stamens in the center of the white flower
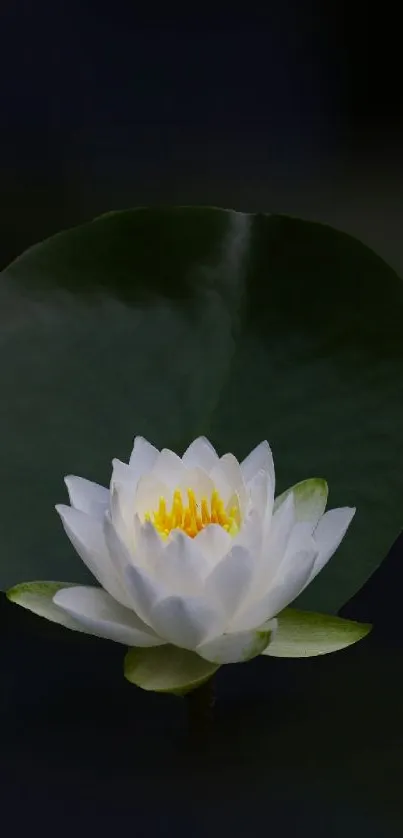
<point x="193" y="517"/>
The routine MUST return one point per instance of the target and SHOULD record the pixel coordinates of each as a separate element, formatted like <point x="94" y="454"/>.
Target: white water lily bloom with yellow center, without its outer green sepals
<point x="193" y="551"/>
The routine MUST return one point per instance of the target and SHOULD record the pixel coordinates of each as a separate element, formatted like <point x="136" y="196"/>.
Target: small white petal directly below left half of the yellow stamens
<point x="180" y="565"/>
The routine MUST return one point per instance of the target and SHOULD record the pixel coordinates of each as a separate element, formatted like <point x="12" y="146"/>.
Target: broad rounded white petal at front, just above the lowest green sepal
<point x="185" y="621"/>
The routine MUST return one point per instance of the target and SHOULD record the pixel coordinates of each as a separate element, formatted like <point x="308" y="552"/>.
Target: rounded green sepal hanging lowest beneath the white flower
<point x="167" y="669"/>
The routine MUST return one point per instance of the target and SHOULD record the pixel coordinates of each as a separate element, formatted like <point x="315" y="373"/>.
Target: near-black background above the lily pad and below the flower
<point x="295" y="110"/>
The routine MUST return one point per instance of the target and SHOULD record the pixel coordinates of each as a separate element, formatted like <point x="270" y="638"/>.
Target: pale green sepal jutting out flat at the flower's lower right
<point x="304" y="634"/>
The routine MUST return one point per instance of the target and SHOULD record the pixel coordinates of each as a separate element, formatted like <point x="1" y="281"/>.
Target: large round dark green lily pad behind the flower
<point x="172" y="323"/>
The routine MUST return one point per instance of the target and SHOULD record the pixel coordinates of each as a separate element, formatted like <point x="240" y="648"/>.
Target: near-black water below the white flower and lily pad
<point x="310" y="746"/>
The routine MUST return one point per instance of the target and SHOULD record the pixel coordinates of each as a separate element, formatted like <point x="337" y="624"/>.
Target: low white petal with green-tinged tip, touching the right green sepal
<point x="239" y="646"/>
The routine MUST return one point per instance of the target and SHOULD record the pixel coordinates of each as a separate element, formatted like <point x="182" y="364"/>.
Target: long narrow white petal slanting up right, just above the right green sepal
<point x="286" y="588"/>
